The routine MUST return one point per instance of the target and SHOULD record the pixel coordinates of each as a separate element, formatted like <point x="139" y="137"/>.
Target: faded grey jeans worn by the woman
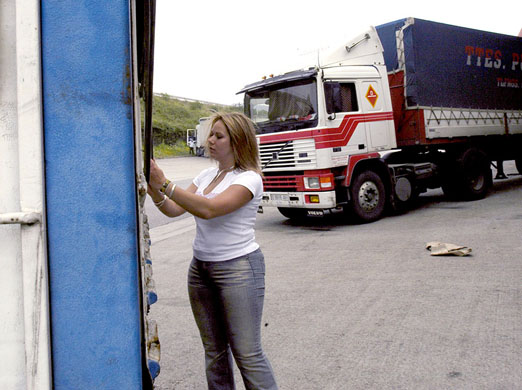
<point x="227" y="302"/>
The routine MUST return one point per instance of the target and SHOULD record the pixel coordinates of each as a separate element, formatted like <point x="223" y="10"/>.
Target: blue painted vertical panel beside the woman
<point x="91" y="197"/>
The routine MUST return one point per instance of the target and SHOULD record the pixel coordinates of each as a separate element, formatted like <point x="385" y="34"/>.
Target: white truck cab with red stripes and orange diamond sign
<point x="315" y="125"/>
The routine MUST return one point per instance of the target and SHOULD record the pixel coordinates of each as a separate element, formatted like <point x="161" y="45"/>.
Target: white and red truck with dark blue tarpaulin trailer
<point x="407" y="106"/>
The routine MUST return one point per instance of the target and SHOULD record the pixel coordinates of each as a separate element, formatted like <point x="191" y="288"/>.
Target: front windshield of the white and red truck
<point x="283" y="106"/>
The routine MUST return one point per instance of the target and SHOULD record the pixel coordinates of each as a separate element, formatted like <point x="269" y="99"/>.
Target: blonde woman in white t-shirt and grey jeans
<point x="226" y="275"/>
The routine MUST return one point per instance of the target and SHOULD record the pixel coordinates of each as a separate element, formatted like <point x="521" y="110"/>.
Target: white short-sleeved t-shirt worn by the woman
<point x="231" y="235"/>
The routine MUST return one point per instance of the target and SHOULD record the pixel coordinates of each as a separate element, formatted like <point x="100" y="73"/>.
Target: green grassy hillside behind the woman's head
<point x="172" y="117"/>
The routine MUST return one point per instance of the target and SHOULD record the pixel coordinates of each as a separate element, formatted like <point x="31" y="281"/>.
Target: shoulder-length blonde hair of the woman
<point x="242" y="139"/>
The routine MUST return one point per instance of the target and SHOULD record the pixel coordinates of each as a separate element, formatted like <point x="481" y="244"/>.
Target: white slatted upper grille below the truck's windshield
<point x="298" y="154"/>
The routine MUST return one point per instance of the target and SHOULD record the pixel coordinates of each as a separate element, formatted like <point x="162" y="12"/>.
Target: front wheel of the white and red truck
<point x="368" y="197"/>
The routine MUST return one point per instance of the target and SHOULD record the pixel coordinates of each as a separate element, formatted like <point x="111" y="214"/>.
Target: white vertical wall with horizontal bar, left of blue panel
<point x="24" y="328"/>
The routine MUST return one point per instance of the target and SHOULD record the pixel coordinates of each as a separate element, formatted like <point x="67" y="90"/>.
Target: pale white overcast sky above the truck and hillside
<point x="209" y="50"/>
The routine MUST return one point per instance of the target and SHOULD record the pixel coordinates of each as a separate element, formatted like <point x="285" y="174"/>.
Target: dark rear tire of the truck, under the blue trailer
<point x="469" y="178"/>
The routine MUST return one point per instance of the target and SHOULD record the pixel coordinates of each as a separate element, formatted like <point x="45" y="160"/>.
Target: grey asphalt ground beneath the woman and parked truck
<point x="365" y="306"/>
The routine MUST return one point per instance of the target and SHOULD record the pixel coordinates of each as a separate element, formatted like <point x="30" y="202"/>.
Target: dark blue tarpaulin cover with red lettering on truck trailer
<point x="451" y="66"/>
